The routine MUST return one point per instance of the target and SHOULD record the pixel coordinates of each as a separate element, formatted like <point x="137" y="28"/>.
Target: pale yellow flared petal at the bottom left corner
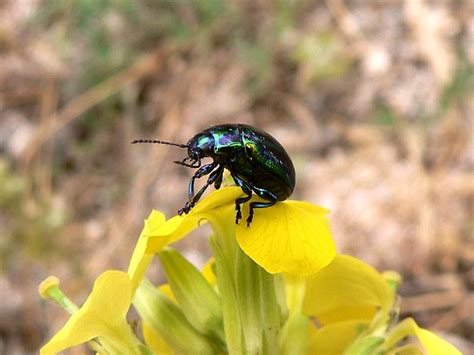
<point x="102" y="315"/>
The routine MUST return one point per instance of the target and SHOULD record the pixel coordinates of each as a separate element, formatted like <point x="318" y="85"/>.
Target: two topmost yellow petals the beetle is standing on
<point x="292" y="236"/>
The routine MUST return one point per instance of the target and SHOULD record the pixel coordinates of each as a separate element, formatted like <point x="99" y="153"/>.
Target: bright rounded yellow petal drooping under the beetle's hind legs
<point x="291" y="236"/>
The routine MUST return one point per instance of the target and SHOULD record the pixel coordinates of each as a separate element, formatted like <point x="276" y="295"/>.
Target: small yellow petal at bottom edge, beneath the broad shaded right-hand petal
<point x="333" y="339"/>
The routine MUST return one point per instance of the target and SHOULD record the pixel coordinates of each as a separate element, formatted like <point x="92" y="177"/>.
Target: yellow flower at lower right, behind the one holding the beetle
<point x="354" y="304"/>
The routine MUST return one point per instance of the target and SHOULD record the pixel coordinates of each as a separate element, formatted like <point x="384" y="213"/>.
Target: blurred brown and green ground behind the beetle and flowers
<point x="372" y="99"/>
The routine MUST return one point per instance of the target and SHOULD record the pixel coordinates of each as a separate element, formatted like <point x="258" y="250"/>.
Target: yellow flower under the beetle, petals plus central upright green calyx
<point x="290" y="237"/>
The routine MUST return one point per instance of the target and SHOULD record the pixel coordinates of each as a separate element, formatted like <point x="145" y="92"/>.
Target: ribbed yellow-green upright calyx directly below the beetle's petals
<point x="251" y="311"/>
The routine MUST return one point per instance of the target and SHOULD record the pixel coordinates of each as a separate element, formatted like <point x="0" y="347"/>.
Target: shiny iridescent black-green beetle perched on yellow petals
<point x="257" y="162"/>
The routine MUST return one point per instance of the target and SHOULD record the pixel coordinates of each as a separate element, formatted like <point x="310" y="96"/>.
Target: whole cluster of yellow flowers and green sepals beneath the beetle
<point x="276" y="287"/>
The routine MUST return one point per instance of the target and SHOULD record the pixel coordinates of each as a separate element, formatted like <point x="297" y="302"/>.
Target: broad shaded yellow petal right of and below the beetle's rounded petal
<point x="347" y="289"/>
